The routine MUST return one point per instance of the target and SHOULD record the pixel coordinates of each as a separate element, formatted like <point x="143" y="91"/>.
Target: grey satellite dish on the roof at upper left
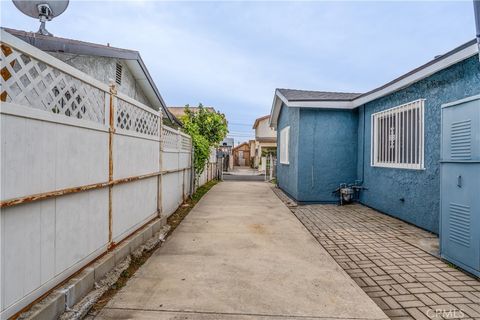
<point x="44" y="10"/>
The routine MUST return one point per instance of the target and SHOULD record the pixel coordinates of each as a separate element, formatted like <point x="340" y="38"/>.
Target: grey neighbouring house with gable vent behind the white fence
<point x="104" y="63"/>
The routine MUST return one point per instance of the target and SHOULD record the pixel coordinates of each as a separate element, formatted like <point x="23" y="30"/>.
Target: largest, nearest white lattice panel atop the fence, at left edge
<point x="32" y="83"/>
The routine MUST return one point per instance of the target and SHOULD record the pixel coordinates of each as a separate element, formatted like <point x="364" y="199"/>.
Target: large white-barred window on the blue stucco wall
<point x="398" y="136"/>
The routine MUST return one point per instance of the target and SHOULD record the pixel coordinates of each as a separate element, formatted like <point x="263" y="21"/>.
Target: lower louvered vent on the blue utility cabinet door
<point x="459" y="224"/>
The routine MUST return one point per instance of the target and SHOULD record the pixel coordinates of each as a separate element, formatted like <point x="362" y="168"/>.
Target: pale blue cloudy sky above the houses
<point x="232" y="55"/>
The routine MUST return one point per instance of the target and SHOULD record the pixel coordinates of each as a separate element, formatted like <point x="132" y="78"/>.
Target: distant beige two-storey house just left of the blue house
<point x="265" y="139"/>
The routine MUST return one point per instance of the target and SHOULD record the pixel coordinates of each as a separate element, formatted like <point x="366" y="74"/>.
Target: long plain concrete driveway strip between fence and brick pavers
<point x="241" y="254"/>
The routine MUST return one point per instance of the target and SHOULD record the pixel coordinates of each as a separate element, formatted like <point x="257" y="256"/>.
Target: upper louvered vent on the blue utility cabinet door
<point x="461" y="140"/>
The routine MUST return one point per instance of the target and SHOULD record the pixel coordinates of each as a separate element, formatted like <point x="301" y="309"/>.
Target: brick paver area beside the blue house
<point x="405" y="281"/>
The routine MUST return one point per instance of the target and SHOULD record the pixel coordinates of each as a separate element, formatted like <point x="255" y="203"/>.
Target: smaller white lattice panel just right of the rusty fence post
<point x="133" y="118"/>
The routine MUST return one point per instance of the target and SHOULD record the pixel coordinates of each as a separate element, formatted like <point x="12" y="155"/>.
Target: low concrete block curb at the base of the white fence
<point x="71" y="293"/>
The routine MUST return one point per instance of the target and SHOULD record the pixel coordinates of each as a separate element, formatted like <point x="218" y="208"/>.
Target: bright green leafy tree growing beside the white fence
<point x="207" y="129"/>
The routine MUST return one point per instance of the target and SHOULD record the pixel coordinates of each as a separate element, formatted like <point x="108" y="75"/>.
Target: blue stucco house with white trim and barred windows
<point x="388" y="139"/>
